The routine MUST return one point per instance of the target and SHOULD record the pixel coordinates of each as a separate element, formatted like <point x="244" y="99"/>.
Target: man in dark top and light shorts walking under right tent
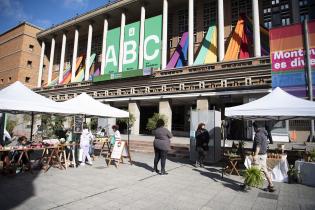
<point x="260" y="153"/>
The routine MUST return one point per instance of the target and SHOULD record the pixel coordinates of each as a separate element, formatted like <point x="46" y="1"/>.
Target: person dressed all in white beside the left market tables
<point x="85" y="139"/>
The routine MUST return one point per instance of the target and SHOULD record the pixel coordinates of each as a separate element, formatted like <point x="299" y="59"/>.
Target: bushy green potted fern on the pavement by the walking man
<point x="253" y="177"/>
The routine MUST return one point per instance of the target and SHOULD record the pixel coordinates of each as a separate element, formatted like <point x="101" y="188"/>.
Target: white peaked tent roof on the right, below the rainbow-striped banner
<point x="277" y="105"/>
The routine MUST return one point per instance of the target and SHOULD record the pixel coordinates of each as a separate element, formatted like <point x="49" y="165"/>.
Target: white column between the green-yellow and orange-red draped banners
<point x="221" y="48"/>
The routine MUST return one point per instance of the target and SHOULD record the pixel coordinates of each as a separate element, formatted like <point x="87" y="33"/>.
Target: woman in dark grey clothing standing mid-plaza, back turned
<point x="161" y="145"/>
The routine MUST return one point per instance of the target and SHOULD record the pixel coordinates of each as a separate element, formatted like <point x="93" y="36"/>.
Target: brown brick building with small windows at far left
<point x="20" y="56"/>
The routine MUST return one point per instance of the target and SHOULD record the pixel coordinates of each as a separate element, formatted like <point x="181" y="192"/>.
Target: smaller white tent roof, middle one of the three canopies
<point x="85" y="104"/>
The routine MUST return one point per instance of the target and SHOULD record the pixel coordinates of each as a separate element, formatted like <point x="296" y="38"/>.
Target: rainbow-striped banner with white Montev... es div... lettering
<point x="287" y="58"/>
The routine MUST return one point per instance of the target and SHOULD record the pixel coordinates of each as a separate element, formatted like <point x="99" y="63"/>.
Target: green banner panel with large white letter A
<point x="112" y="50"/>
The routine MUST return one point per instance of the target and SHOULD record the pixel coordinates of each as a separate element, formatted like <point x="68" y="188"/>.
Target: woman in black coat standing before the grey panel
<point x="202" y="141"/>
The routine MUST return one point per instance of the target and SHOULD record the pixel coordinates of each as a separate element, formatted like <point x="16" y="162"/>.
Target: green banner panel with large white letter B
<point x="131" y="46"/>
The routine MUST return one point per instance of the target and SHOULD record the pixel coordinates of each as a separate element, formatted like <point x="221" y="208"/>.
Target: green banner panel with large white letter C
<point x="152" y="42"/>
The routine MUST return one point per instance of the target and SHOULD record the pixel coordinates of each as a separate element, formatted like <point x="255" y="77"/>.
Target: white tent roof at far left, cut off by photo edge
<point x="17" y="98"/>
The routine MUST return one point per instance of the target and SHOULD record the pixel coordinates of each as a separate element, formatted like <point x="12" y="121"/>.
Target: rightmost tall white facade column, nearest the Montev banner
<point x="256" y="27"/>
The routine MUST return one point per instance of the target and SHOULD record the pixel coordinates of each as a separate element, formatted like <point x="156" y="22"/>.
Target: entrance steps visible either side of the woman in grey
<point x="177" y="150"/>
